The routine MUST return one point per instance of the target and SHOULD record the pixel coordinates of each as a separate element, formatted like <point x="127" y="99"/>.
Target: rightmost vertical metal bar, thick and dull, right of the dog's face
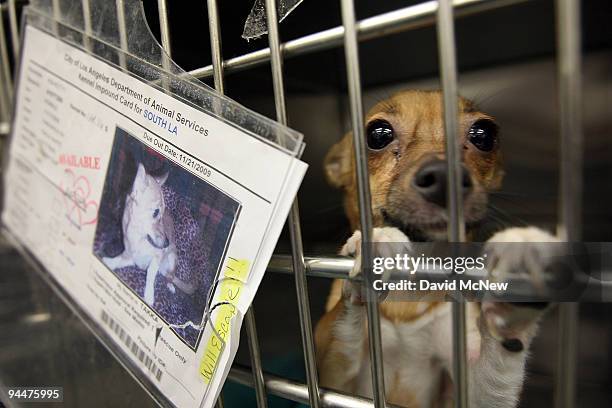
<point x="570" y="191"/>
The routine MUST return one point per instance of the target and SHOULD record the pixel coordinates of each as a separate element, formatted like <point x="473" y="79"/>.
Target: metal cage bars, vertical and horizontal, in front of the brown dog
<point x="440" y="13"/>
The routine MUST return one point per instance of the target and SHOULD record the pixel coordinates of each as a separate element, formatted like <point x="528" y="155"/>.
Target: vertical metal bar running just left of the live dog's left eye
<point x="351" y="50"/>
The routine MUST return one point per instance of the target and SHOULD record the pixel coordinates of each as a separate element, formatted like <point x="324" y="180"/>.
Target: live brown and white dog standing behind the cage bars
<point x="405" y="137"/>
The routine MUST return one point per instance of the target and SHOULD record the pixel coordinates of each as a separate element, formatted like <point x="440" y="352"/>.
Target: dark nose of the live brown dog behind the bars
<point x="431" y="180"/>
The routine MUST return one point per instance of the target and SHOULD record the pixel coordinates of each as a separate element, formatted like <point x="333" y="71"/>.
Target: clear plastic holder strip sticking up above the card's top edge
<point x="117" y="32"/>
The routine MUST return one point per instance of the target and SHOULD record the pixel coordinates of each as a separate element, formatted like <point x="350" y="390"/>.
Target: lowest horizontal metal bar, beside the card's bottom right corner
<point x="298" y="392"/>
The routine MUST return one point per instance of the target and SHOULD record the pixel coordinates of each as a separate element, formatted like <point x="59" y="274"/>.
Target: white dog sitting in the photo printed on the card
<point x="148" y="235"/>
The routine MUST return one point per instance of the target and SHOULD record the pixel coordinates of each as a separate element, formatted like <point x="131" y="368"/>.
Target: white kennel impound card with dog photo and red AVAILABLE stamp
<point x="157" y="219"/>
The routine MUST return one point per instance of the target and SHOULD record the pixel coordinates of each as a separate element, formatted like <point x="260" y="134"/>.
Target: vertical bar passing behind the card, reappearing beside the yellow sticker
<point x="251" y="327"/>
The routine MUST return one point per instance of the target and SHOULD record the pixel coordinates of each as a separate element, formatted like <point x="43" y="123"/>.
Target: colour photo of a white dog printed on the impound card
<point x="164" y="233"/>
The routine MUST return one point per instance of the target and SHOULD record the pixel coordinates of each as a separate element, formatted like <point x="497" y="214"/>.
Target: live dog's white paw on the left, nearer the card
<point x="387" y="241"/>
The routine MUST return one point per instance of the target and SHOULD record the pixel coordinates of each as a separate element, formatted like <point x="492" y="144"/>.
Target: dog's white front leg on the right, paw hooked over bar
<point x="507" y="329"/>
